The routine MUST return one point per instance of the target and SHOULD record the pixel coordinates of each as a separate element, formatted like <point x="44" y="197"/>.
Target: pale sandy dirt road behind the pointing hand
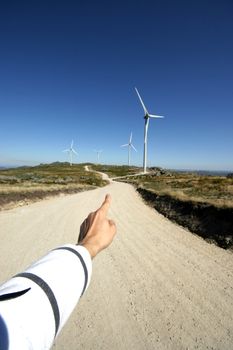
<point x="157" y="287"/>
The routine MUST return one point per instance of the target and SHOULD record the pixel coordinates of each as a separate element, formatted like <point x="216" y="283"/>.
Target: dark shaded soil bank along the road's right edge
<point x="208" y="221"/>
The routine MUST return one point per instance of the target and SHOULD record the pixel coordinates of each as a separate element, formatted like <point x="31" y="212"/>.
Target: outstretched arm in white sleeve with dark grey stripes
<point x="53" y="287"/>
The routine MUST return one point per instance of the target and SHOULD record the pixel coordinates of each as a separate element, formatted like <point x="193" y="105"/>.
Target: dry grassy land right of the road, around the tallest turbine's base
<point x="216" y="190"/>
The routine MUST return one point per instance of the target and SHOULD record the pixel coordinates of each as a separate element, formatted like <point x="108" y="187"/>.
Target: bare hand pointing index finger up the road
<point x="97" y="231"/>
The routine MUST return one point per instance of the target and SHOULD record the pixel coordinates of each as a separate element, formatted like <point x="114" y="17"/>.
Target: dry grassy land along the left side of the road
<point x="19" y="186"/>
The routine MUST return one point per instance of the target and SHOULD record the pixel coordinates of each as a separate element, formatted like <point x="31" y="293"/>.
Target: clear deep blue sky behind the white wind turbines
<point x="68" y="71"/>
